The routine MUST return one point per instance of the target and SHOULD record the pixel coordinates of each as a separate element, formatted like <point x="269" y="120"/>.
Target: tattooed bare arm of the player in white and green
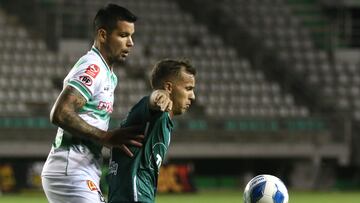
<point x="65" y="115"/>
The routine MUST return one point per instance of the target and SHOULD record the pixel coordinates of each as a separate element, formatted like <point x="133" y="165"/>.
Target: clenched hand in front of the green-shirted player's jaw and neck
<point x="160" y="100"/>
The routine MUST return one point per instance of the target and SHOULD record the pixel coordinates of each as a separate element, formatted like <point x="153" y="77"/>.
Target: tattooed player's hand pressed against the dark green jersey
<point x="123" y="137"/>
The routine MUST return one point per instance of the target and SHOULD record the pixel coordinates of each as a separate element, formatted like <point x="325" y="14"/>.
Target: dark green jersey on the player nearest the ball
<point x="135" y="179"/>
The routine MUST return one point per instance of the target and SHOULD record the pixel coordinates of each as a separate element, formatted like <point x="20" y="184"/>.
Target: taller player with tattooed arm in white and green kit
<point x="82" y="112"/>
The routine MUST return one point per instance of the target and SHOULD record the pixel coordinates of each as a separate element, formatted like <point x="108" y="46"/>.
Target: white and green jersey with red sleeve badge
<point x="71" y="155"/>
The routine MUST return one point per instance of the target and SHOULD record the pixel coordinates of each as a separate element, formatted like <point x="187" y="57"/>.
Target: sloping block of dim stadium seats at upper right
<point x="284" y="32"/>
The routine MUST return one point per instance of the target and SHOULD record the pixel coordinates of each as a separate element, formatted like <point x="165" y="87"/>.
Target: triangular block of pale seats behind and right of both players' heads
<point x="227" y="84"/>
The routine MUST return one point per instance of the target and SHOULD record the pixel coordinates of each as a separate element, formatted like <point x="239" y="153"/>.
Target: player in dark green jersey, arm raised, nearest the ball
<point x="135" y="179"/>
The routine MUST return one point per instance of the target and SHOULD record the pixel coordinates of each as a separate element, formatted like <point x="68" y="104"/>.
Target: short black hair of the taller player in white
<point x="108" y="16"/>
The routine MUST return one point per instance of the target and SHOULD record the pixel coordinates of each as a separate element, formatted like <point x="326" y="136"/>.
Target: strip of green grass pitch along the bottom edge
<point x="215" y="197"/>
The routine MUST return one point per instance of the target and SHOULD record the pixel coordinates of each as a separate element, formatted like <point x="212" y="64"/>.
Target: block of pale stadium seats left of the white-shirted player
<point x="26" y="70"/>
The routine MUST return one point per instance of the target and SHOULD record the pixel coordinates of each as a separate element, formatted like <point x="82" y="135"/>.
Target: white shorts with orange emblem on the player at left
<point x="71" y="189"/>
